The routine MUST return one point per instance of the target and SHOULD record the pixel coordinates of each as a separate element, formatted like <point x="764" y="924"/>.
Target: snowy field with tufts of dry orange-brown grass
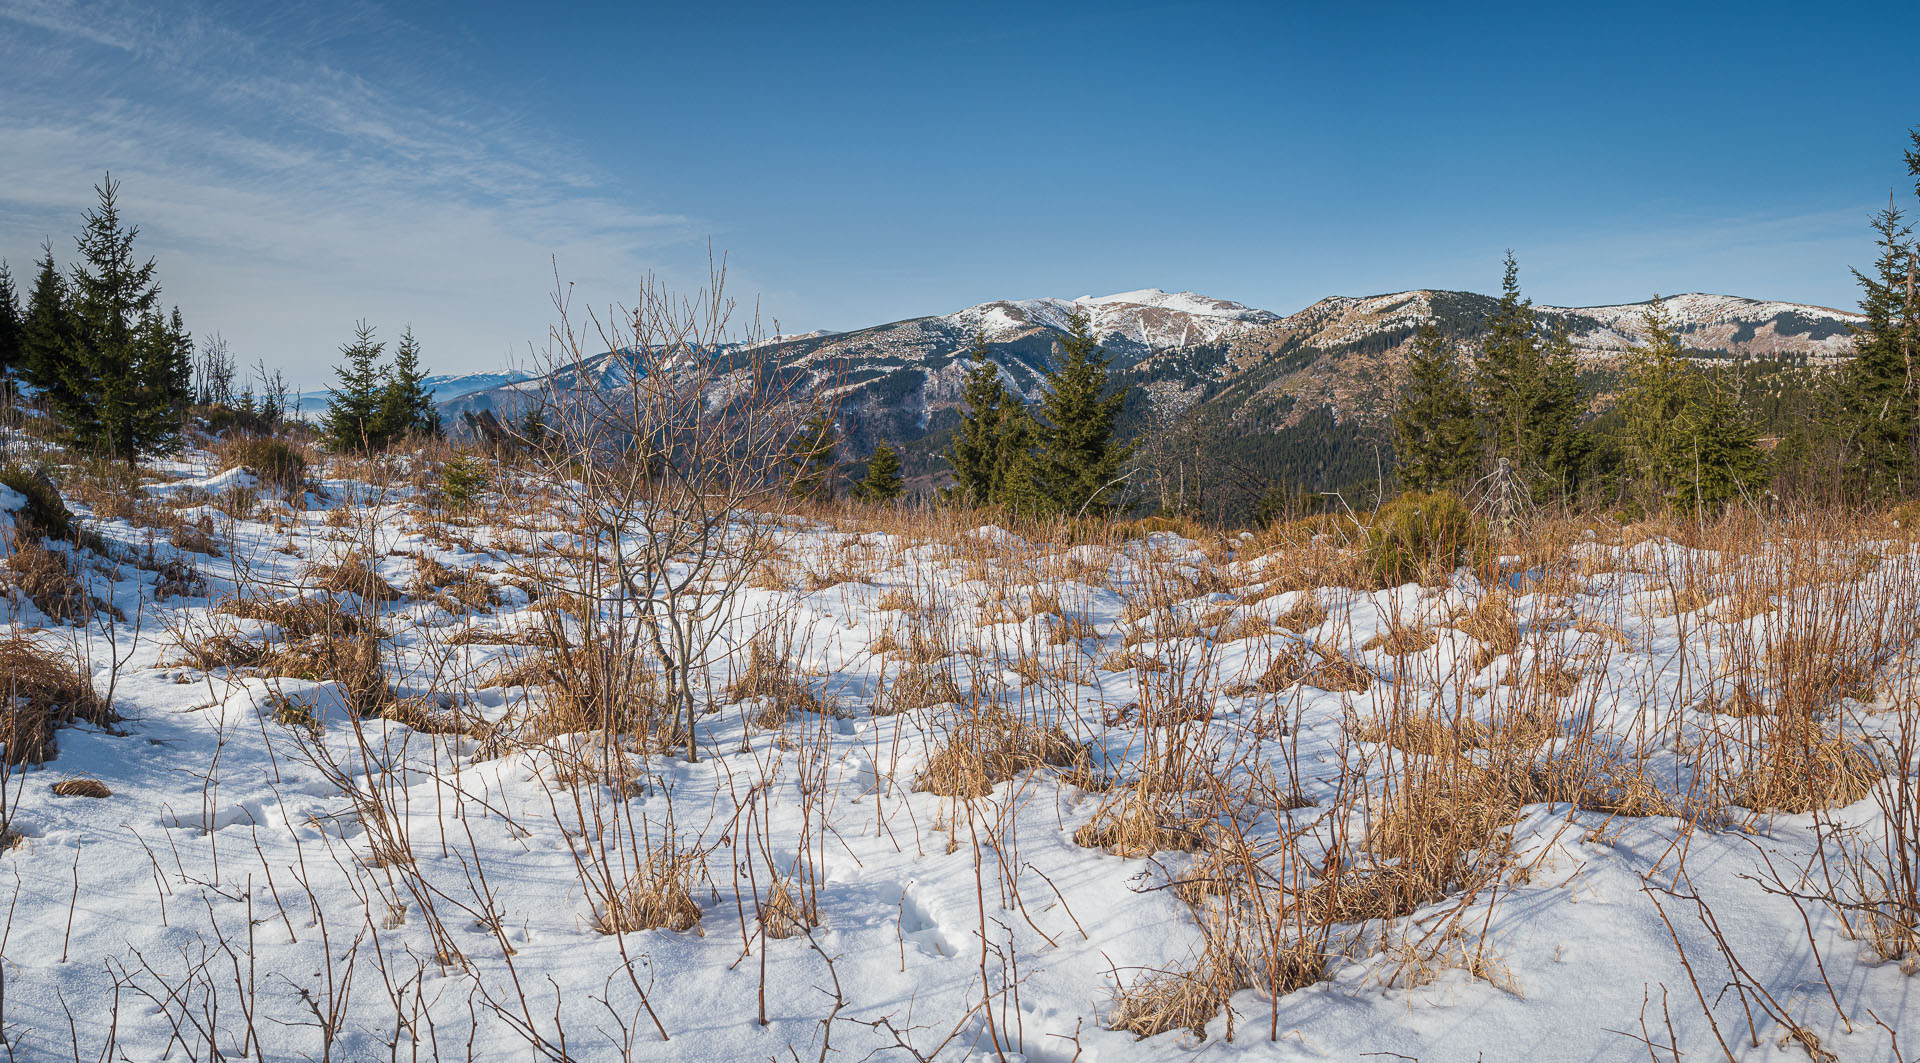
<point x="955" y="793"/>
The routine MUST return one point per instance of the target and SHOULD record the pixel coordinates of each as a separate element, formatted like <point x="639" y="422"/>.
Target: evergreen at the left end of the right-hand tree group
<point x="1435" y="437"/>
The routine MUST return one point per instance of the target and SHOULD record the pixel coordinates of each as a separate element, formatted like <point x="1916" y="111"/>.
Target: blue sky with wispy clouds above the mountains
<point x="302" y="168"/>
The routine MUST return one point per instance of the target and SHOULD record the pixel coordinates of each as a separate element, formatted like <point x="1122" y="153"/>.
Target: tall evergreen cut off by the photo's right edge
<point x="1875" y="398"/>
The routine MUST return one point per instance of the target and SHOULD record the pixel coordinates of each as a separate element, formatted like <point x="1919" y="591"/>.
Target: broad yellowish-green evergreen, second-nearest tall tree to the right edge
<point x="1689" y="438"/>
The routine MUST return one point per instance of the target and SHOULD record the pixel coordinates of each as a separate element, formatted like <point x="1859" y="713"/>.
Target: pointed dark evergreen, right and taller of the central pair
<point x="1076" y="465"/>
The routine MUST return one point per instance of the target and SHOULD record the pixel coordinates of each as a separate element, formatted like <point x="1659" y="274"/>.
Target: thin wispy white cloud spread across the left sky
<point x="287" y="197"/>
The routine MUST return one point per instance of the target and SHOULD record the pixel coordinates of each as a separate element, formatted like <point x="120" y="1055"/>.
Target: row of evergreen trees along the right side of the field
<point x="1687" y="437"/>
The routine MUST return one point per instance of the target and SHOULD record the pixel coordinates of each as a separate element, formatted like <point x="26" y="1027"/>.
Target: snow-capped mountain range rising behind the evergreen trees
<point x="1307" y="392"/>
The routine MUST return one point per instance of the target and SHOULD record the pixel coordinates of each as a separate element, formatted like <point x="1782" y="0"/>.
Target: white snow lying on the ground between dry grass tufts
<point x="235" y="859"/>
